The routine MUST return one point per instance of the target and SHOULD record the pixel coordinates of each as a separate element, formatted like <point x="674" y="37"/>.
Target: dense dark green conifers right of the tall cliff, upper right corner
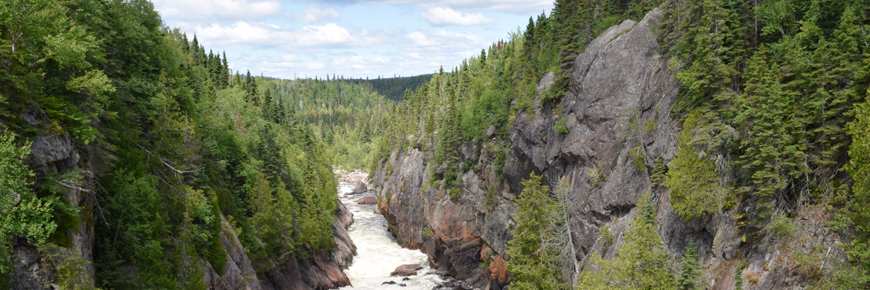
<point x="785" y="74"/>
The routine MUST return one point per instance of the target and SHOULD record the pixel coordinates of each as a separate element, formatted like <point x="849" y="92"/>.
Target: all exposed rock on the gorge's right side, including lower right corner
<point x="619" y="100"/>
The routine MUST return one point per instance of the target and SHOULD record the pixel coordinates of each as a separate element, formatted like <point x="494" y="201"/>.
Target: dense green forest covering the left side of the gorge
<point x="171" y="149"/>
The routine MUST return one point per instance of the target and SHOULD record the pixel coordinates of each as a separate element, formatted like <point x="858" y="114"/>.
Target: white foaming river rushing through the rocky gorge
<point x="378" y="252"/>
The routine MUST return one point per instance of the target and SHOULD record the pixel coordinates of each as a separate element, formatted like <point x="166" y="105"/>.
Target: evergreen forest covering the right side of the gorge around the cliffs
<point x="772" y="103"/>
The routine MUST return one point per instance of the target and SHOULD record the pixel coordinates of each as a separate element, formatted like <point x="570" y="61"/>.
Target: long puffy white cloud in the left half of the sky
<point x="241" y="32"/>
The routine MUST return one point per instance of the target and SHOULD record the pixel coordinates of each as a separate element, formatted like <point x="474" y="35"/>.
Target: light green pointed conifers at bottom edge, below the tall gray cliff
<point x="641" y="263"/>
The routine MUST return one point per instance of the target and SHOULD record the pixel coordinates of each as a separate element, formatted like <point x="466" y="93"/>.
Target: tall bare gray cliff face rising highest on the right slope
<point x="619" y="100"/>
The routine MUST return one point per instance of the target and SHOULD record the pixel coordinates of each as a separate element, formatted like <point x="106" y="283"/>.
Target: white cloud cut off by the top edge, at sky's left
<point x="226" y="9"/>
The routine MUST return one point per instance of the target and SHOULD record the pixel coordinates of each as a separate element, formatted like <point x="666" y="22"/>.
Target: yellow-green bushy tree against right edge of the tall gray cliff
<point x="693" y="179"/>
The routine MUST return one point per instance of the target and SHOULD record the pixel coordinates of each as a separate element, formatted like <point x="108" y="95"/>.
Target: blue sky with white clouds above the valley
<point x="351" y="38"/>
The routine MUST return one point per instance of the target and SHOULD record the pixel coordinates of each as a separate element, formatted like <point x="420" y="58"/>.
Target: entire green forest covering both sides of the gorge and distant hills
<point x="174" y="146"/>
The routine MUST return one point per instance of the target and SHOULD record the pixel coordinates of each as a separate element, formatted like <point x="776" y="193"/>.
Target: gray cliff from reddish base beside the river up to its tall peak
<point x="620" y="81"/>
